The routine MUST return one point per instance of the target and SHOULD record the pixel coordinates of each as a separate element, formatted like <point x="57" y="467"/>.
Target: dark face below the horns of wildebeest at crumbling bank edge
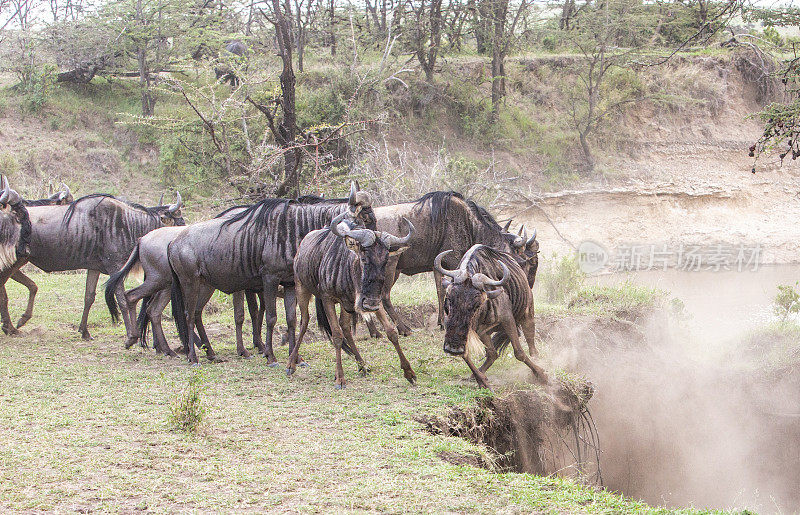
<point x="463" y="305"/>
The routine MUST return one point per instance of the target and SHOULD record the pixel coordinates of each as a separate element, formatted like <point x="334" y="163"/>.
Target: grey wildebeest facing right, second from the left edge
<point x="97" y="233"/>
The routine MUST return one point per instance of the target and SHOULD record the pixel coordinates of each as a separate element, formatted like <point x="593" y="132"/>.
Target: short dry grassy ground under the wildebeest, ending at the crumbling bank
<point x="86" y="426"/>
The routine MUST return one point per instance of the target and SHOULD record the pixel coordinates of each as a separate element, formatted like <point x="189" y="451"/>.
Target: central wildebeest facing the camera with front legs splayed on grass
<point x="348" y="266"/>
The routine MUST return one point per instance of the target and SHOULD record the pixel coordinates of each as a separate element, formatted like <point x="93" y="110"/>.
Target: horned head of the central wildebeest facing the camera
<point x="373" y="250"/>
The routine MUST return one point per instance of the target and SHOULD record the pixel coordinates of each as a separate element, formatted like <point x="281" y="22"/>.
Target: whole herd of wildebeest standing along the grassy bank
<point x="341" y="251"/>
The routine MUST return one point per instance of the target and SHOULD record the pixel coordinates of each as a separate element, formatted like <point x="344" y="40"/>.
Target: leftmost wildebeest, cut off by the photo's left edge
<point x="15" y="237"/>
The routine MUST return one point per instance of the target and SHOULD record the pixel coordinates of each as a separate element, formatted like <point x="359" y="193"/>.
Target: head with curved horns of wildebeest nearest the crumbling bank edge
<point x="466" y="296"/>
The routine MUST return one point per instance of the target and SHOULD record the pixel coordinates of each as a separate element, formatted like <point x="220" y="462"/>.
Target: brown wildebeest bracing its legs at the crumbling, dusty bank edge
<point x="478" y="304"/>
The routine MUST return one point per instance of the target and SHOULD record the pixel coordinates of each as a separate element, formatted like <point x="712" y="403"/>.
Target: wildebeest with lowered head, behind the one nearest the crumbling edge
<point x="445" y="220"/>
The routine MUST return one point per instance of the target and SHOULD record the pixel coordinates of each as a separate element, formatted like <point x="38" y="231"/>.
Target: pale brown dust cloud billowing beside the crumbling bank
<point x="688" y="420"/>
